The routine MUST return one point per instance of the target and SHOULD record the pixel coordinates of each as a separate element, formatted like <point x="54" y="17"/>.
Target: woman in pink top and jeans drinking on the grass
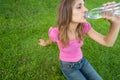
<point x="69" y="36"/>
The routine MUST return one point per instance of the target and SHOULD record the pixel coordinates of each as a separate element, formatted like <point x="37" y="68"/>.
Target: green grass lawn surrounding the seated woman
<point x="23" y="22"/>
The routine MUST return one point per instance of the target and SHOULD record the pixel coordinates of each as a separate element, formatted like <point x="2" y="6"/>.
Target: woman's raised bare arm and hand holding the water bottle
<point x="111" y="37"/>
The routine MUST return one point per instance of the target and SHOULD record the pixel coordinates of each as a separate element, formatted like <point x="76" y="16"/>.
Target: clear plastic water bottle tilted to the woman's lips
<point x="111" y="10"/>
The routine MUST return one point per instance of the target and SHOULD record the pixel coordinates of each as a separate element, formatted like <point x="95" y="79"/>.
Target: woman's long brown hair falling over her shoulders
<point x="64" y="19"/>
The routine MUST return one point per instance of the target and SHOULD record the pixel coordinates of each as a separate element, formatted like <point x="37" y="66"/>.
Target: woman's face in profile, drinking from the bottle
<point x="78" y="11"/>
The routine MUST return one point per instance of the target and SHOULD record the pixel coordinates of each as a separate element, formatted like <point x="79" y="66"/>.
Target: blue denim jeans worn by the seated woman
<point x="81" y="70"/>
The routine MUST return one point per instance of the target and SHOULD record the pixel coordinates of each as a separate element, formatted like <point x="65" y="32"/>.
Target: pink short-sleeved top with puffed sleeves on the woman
<point x="72" y="52"/>
